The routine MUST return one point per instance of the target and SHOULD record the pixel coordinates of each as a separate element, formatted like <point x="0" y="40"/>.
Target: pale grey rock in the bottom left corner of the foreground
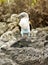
<point x="6" y="61"/>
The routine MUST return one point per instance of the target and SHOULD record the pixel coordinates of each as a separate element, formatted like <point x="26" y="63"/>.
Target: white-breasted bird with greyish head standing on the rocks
<point x="24" y="23"/>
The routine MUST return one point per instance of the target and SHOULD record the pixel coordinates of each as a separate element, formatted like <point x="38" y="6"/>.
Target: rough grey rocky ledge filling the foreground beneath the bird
<point x="25" y="51"/>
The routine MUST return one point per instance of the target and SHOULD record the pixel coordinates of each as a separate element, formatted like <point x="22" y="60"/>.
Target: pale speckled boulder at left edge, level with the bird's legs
<point x="7" y="36"/>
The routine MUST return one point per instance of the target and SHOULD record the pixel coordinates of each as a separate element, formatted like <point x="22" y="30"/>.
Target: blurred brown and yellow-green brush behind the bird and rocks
<point x="37" y="10"/>
